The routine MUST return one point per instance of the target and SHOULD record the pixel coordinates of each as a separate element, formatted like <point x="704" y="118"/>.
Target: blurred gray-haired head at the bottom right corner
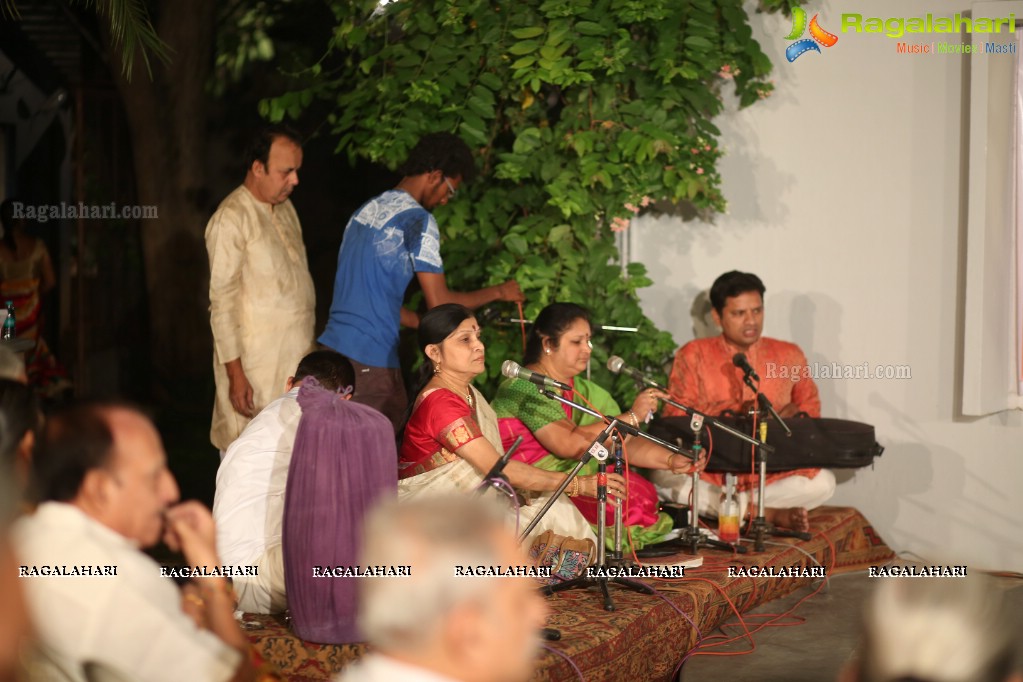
<point x="925" y="630"/>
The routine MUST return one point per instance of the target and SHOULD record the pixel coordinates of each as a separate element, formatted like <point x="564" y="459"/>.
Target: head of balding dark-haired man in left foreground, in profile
<point x="107" y="460"/>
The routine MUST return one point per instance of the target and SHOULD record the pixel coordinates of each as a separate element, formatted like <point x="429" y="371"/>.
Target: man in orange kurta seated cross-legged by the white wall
<point x="705" y="379"/>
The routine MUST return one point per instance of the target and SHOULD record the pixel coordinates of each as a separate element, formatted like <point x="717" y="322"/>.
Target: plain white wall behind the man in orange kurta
<point x="847" y="196"/>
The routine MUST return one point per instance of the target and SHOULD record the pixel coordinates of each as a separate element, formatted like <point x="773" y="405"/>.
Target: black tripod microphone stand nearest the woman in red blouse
<point x="599" y="451"/>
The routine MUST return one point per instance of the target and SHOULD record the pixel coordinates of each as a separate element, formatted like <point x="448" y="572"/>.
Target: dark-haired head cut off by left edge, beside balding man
<point x="20" y="422"/>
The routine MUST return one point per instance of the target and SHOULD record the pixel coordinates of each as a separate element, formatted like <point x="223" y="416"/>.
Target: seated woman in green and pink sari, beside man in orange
<point x="557" y="436"/>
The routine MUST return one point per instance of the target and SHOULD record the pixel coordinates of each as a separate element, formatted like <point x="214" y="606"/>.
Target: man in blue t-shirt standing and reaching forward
<point x="392" y="238"/>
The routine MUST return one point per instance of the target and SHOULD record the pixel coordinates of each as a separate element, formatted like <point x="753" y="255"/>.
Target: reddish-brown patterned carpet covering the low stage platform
<point x="646" y="638"/>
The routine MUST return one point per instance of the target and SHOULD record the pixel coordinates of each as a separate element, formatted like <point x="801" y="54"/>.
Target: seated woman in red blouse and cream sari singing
<point x="452" y="439"/>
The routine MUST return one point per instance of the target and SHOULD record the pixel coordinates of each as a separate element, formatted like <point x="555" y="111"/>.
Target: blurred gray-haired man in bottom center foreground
<point x="433" y="626"/>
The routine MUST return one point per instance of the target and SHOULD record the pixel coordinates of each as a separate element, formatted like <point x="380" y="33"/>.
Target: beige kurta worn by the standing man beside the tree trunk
<point x="261" y="302"/>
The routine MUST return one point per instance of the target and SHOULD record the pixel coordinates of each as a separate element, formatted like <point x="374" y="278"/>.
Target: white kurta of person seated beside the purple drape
<point x="249" y="506"/>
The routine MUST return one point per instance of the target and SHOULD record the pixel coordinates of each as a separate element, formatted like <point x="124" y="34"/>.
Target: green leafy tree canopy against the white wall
<point x="583" y="113"/>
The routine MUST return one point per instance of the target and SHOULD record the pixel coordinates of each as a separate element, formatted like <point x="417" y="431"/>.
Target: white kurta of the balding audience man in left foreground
<point x="130" y="624"/>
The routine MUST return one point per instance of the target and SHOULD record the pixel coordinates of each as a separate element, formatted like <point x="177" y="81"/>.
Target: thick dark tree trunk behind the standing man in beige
<point x="167" y="117"/>
